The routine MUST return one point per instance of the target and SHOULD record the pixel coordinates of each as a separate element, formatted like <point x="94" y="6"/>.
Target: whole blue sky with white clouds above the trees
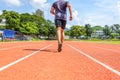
<point x="94" y="12"/>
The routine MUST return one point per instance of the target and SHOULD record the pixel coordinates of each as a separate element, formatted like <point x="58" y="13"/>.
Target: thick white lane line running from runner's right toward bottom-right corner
<point x="97" y="61"/>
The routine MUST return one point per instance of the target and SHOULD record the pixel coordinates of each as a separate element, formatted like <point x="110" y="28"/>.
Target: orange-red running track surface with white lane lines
<point x="41" y="61"/>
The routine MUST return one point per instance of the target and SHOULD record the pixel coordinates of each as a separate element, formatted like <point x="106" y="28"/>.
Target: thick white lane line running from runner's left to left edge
<point x="21" y="59"/>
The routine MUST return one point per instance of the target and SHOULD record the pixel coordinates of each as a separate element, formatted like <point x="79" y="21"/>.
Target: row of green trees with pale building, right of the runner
<point x="88" y="31"/>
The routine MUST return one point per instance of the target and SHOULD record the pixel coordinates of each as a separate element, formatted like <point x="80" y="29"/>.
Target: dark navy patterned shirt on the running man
<point x="60" y="10"/>
